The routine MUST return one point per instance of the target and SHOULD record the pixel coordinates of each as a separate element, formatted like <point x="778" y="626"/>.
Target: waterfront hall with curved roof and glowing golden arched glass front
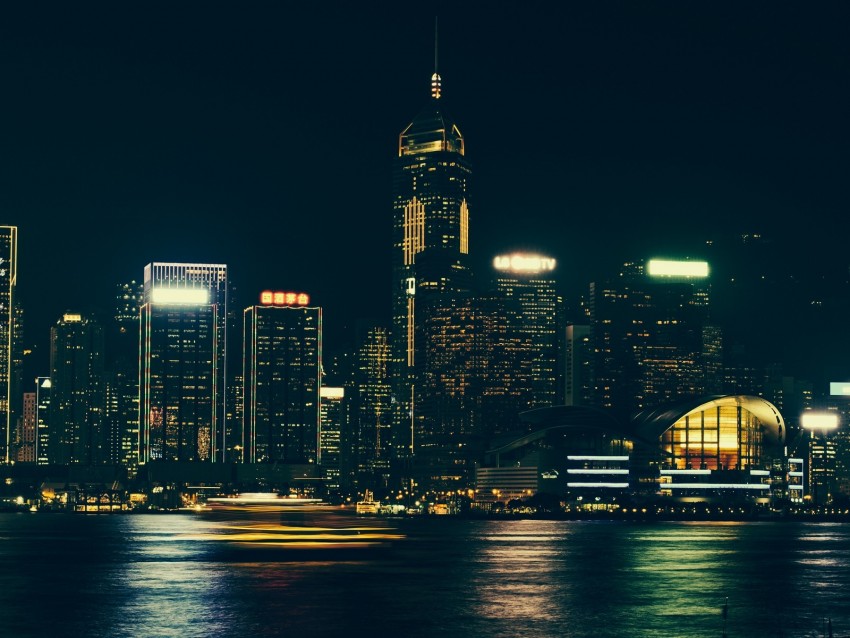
<point x="704" y="448"/>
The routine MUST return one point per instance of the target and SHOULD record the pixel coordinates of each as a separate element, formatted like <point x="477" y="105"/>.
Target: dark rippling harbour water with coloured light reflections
<point x="188" y="575"/>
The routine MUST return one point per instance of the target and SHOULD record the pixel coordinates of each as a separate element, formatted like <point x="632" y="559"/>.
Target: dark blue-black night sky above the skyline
<point x="261" y="135"/>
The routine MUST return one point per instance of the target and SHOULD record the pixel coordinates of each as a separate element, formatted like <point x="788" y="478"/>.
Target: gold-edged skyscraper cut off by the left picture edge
<point x="8" y="279"/>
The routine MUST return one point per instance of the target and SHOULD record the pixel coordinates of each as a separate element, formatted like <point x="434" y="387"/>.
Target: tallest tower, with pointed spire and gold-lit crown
<point x="431" y="276"/>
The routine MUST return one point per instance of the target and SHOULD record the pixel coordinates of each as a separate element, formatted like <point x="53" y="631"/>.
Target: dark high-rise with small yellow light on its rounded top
<point x="76" y="391"/>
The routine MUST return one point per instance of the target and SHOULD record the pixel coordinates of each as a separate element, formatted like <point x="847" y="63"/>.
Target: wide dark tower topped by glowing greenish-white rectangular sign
<point x="651" y="337"/>
